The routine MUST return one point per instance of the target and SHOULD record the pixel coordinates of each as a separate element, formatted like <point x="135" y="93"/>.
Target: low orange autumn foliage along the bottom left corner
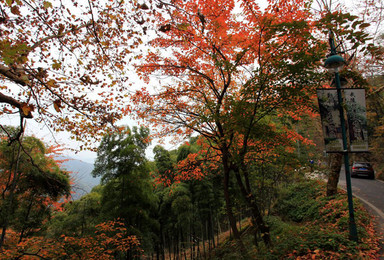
<point x="110" y="239"/>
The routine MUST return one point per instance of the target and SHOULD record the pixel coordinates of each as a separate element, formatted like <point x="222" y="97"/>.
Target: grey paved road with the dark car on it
<point x="371" y="193"/>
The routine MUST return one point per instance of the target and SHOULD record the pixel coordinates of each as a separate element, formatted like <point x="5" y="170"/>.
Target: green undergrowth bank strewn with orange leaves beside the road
<point x="305" y="224"/>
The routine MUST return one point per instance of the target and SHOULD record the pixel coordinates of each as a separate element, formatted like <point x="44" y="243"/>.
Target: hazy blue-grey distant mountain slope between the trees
<point x="81" y="175"/>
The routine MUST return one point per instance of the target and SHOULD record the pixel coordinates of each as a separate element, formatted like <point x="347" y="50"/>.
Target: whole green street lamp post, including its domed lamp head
<point x="334" y="63"/>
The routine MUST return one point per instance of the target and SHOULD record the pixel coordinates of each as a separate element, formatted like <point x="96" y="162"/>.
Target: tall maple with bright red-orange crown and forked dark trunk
<point x="233" y="67"/>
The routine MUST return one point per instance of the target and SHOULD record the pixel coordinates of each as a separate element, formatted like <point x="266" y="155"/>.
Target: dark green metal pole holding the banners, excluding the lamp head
<point x="352" y="224"/>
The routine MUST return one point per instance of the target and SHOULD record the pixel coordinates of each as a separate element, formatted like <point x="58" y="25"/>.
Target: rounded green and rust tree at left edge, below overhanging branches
<point x="31" y="183"/>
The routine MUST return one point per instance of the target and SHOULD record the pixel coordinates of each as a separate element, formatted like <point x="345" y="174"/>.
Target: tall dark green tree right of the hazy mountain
<point x="127" y="193"/>
